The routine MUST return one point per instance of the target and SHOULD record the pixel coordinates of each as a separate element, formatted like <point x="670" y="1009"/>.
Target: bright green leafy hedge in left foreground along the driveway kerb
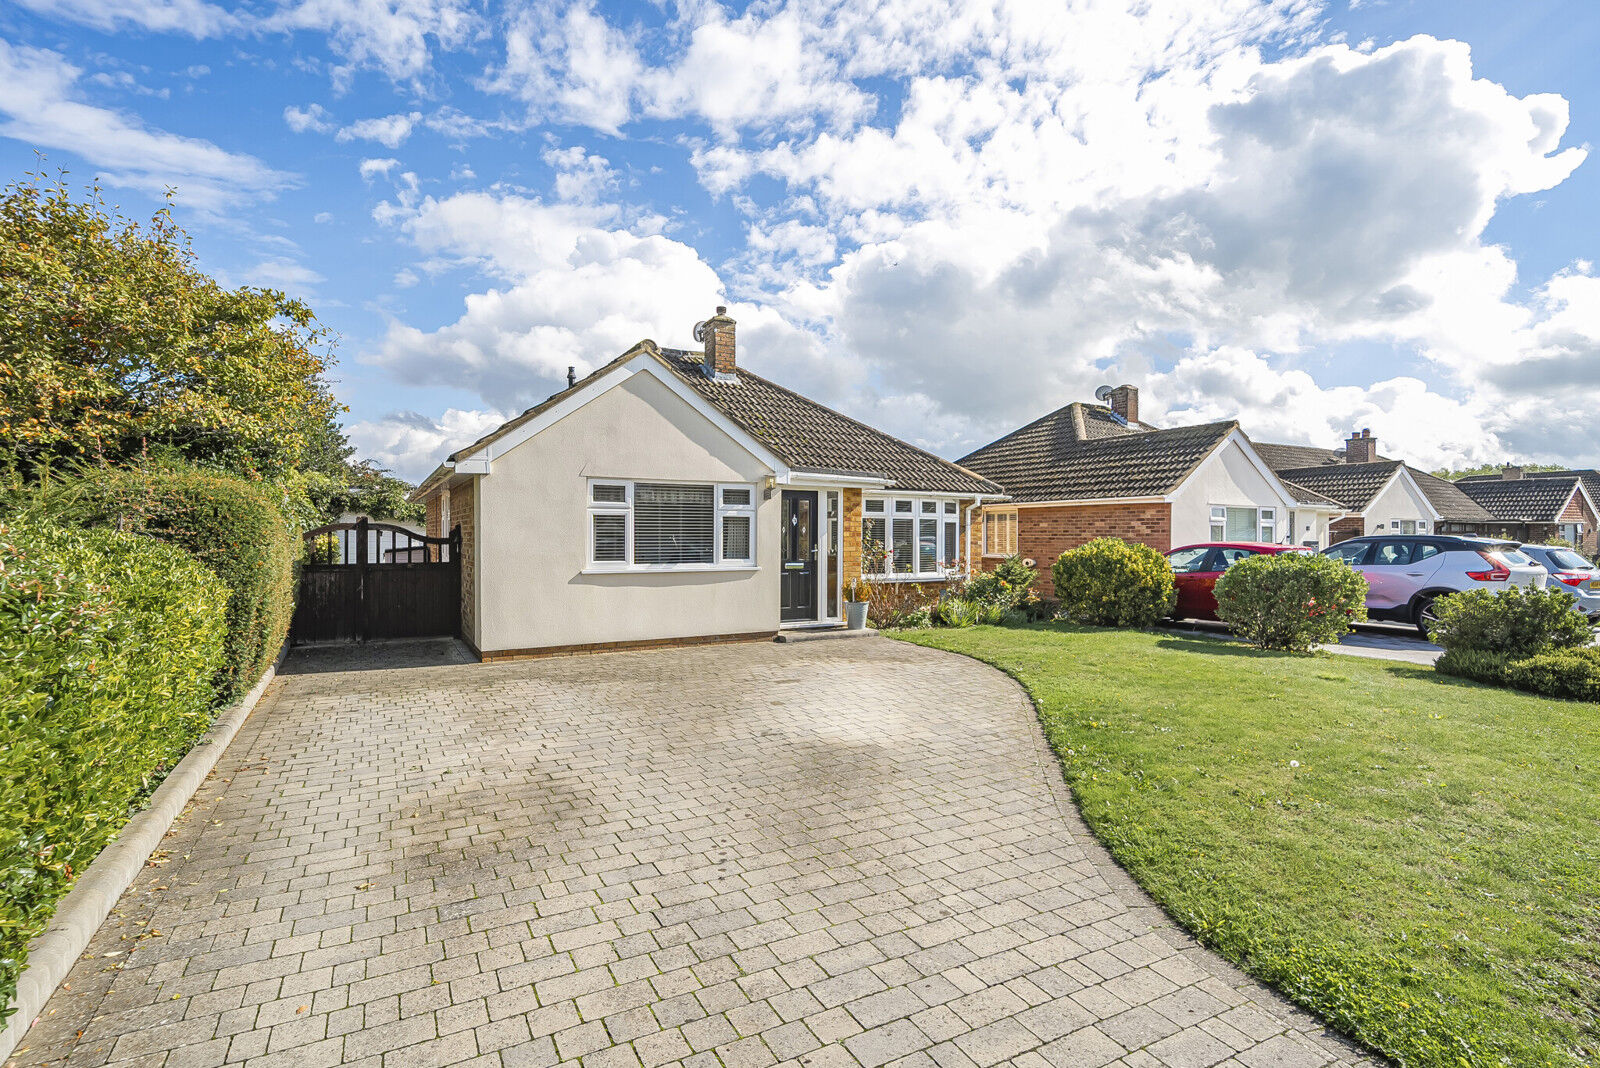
<point x="110" y="650"/>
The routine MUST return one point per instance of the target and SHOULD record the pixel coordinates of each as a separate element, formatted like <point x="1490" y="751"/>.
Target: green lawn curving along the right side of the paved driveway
<point x="1414" y="858"/>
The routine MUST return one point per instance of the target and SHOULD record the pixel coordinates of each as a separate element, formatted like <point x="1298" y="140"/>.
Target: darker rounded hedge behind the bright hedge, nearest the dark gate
<point x="231" y="525"/>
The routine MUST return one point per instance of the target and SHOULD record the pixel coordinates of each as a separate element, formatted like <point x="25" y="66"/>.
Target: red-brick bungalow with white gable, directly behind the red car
<point x="1097" y="471"/>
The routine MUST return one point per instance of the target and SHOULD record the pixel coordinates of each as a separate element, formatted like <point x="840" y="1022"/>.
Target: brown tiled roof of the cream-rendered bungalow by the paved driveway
<point x="801" y="432"/>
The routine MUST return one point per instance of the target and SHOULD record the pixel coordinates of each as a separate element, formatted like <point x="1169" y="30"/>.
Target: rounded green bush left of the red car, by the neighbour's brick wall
<point x="1111" y="583"/>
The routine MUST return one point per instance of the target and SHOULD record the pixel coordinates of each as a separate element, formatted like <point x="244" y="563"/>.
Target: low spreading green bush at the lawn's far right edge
<point x="1516" y="621"/>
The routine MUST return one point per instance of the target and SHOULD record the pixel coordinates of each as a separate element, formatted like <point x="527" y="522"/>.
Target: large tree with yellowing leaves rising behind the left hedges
<point x="114" y="343"/>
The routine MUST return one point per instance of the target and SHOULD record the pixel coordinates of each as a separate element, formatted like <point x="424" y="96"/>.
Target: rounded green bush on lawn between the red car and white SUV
<point x="1290" y="600"/>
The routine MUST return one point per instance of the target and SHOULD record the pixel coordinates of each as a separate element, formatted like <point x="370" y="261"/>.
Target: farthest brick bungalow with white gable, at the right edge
<point x="1540" y="506"/>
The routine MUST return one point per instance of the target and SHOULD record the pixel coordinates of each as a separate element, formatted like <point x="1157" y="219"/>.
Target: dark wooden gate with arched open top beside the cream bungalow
<point x="364" y="581"/>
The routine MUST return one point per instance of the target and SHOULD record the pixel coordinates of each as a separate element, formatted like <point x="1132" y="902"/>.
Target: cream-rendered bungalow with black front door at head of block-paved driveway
<point x="673" y="496"/>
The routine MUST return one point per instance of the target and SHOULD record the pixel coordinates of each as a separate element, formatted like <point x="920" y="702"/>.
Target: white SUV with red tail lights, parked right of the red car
<point x="1407" y="573"/>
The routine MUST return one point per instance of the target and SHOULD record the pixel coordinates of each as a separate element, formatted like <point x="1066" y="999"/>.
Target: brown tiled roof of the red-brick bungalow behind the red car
<point x="1050" y="460"/>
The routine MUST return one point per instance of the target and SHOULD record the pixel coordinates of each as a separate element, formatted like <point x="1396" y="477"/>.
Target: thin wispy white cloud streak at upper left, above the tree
<point x="42" y="108"/>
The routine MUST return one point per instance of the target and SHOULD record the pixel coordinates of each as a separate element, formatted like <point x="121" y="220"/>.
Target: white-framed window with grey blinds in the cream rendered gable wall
<point x="662" y="527"/>
